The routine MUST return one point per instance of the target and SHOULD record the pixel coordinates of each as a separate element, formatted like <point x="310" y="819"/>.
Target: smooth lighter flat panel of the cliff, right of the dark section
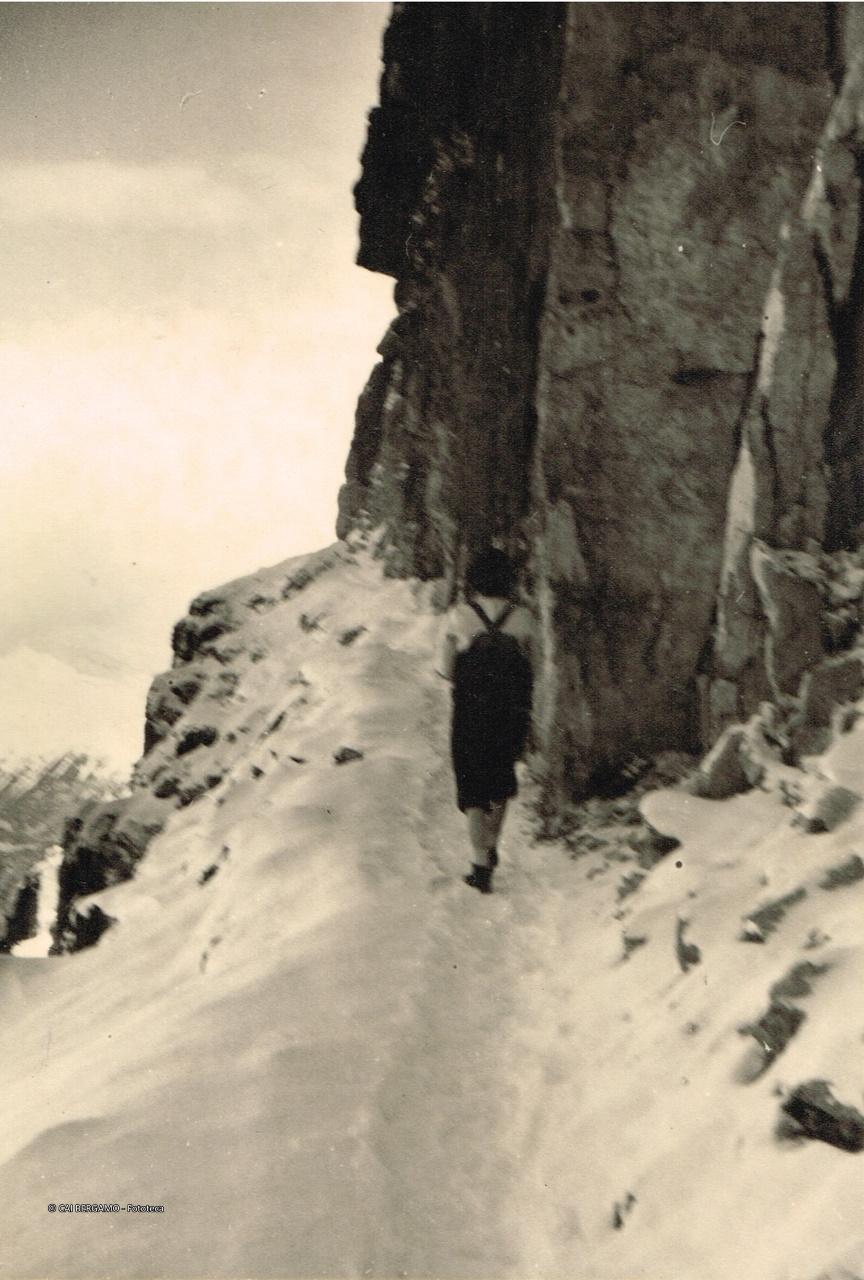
<point x="683" y="139"/>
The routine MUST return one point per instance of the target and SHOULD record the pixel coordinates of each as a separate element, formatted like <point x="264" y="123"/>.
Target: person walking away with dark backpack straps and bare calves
<point x="488" y="653"/>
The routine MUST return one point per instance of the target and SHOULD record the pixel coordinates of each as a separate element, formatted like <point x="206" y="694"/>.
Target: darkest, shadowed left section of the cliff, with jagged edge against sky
<point x="454" y="202"/>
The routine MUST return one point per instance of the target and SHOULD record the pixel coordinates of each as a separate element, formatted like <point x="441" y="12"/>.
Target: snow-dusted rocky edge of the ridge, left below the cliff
<point x="216" y="648"/>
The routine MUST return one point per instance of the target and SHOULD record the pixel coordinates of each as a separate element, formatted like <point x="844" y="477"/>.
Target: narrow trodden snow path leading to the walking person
<point x="459" y="1108"/>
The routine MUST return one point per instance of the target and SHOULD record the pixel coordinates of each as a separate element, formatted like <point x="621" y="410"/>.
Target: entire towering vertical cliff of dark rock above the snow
<point x="625" y="248"/>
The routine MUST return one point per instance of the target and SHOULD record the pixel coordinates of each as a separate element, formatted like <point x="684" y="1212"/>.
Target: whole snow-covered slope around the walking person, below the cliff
<point x="330" y="1058"/>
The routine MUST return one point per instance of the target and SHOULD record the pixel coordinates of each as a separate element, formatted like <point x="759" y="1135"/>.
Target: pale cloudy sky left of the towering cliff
<point x="184" y="335"/>
